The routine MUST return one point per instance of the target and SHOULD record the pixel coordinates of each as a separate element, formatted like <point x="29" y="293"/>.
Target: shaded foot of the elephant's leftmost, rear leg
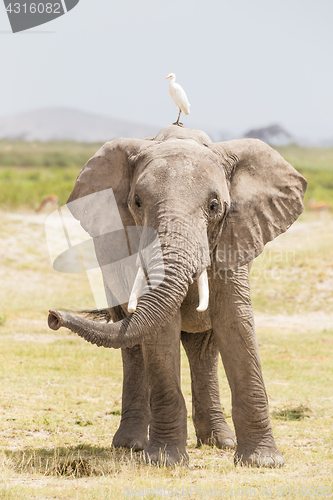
<point x="131" y="434"/>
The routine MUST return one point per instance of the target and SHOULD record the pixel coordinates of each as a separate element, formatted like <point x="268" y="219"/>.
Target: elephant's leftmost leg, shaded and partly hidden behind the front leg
<point x="133" y="429"/>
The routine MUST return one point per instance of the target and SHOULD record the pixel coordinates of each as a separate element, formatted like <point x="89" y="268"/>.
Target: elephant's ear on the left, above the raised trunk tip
<point x="111" y="167"/>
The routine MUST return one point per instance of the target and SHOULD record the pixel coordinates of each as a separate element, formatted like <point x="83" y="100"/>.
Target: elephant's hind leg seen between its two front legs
<point x="209" y="422"/>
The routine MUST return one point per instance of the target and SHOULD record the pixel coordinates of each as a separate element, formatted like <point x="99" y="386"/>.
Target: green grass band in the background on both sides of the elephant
<point x="31" y="170"/>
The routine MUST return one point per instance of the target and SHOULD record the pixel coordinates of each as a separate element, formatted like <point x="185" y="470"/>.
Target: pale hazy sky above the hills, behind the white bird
<point x="242" y="63"/>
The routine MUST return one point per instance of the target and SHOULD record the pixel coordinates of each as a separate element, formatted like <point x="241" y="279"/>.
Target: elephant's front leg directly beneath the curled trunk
<point x="168" y="420"/>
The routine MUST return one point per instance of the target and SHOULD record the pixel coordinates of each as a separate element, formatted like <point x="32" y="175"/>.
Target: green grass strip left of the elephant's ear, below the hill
<point x="31" y="170"/>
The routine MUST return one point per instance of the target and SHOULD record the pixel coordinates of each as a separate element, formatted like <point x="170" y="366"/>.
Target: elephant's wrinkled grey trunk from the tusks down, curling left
<point x="153" y="311"/>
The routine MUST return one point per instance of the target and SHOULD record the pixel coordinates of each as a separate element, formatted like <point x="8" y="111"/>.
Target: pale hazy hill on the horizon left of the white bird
<point x="66" y="123"/>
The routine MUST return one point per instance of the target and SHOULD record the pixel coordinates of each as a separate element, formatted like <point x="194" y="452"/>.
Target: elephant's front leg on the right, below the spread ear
<point x="233" y="324"/>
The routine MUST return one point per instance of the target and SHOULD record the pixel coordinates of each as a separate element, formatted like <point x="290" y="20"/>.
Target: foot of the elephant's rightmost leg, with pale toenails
<point x="262" y="457"/>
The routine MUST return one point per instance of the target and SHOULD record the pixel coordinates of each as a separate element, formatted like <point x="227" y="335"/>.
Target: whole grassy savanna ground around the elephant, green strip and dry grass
<point x="60" y="397"/>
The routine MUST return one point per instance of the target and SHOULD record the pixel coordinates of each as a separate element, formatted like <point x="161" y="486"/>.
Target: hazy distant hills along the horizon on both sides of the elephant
<point x="49" y="124"/>
